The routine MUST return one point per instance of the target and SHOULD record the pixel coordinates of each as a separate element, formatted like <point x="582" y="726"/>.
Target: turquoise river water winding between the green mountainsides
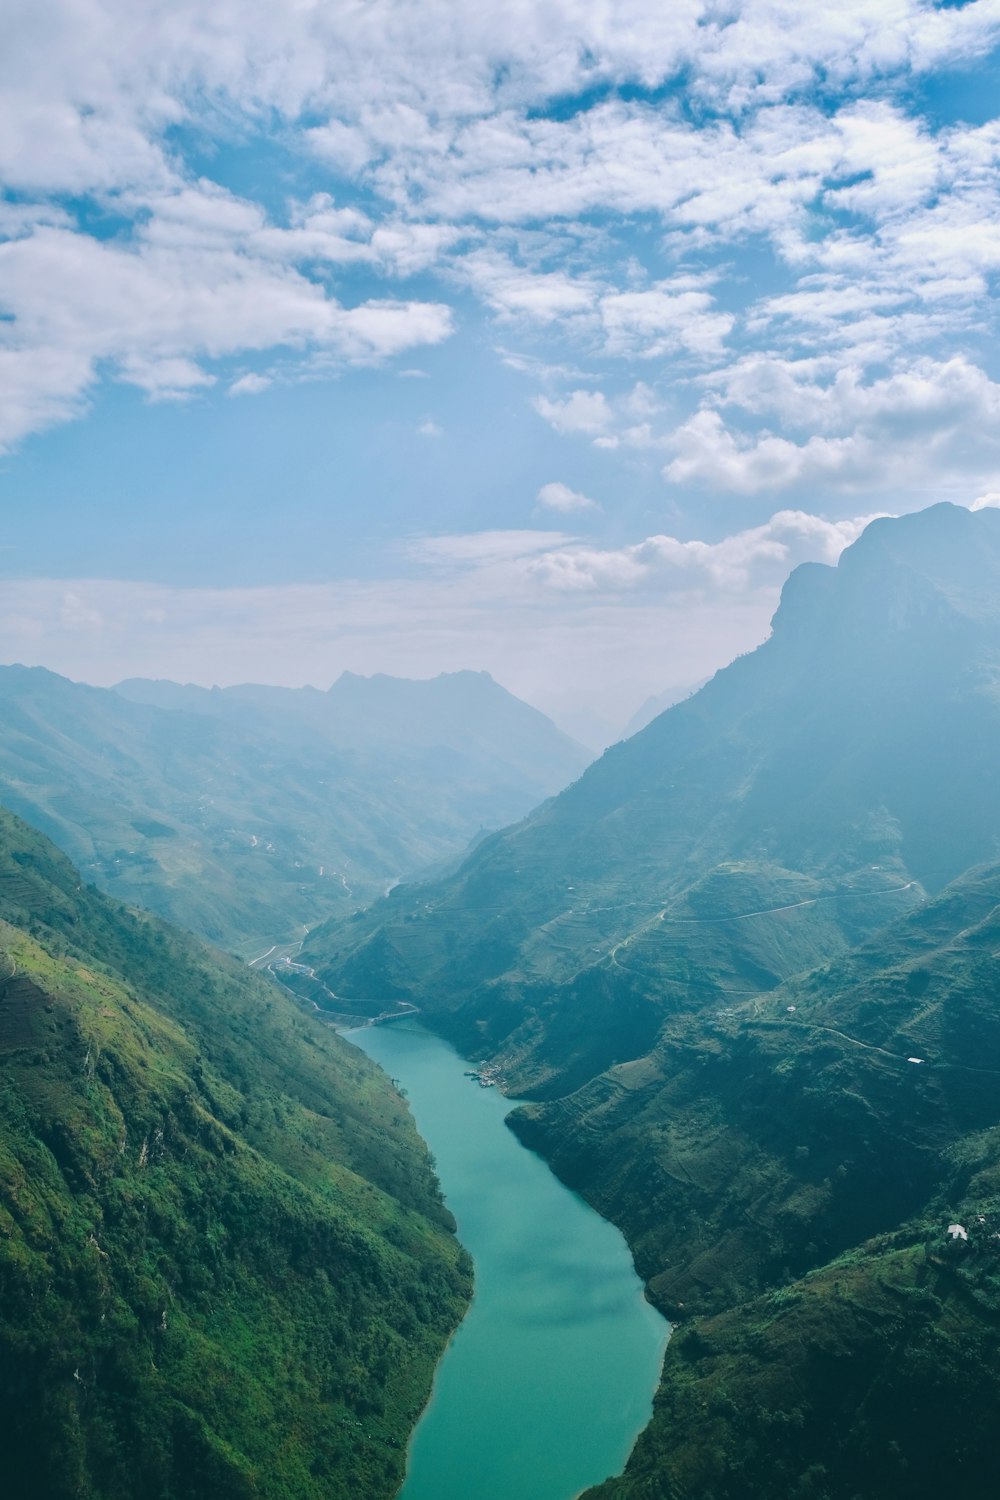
<point x="551" y="1378"/>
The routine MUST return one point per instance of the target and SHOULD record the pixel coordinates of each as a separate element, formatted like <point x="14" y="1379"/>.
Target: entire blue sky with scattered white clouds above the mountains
<point x="418" y="335"/>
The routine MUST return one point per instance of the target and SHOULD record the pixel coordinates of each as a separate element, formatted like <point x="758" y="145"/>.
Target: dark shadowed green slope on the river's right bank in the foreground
<point x="788" y="1174"/>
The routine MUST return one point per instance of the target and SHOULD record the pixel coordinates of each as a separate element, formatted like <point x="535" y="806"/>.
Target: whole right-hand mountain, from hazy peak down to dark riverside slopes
<point x="746" y="973"/>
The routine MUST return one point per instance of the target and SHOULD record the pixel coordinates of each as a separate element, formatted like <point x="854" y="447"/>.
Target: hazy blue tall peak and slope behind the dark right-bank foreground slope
<point x="803" y="799"/>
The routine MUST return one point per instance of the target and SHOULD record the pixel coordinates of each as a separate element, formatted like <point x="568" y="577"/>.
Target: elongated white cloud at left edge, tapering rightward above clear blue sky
<point x="157" y="313"/>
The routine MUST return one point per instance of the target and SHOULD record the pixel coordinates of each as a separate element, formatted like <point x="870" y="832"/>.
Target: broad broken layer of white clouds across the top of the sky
<point x="427" y="143"/>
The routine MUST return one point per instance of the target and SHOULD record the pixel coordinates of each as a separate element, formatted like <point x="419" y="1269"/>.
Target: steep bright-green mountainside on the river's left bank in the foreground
<point x="226" y="1267"/>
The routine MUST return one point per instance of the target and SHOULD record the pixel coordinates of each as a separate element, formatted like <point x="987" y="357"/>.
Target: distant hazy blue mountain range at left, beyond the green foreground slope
<point x="245" y="814"/>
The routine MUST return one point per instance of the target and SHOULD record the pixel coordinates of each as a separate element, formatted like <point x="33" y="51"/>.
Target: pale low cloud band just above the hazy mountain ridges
<point x="554" y="620"/>
